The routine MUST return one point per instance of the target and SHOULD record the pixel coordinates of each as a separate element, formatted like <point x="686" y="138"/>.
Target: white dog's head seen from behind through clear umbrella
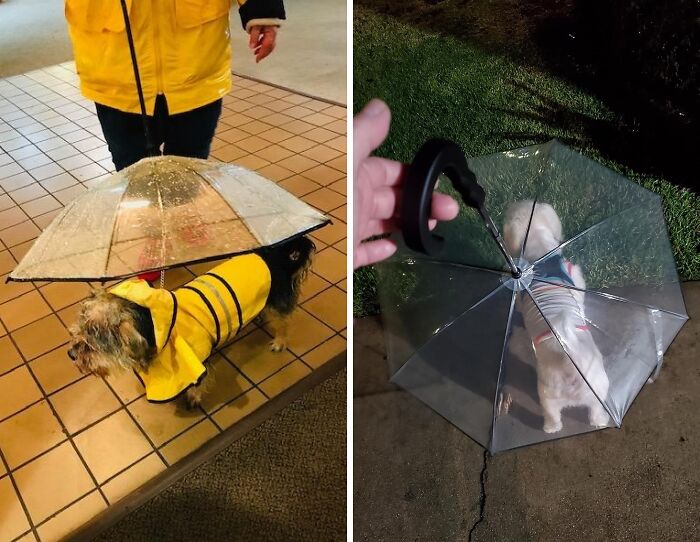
<point x="545" y="230"/>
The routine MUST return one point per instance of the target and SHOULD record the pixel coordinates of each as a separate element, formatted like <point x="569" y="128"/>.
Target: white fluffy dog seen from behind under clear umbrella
<point x="559" y="382"/>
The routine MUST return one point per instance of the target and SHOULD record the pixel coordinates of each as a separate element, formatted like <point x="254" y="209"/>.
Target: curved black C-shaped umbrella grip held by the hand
<point x="435" y="157"/>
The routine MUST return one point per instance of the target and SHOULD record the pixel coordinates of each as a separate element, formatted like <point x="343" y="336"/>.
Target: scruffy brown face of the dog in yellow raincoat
<point x="105" y="338"/>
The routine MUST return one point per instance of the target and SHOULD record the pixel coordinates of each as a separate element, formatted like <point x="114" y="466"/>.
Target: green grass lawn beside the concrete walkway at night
<point x="438" y="86"/>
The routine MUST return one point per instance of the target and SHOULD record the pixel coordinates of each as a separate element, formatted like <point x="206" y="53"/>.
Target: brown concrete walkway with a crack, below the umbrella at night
<point x="416" y="477"/>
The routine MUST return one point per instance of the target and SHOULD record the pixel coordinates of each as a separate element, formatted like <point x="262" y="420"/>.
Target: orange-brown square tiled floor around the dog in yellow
<point x="72" y="445"/>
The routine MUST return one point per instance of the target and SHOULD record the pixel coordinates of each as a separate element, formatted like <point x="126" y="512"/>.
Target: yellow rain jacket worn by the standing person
<point x="182" y="48"/>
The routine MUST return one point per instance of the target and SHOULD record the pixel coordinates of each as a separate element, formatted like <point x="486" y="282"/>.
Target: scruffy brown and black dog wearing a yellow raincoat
<point x="166" y="337"/>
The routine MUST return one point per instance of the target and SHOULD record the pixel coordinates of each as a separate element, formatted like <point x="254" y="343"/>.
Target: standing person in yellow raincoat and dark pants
<point x="183" y="55"/>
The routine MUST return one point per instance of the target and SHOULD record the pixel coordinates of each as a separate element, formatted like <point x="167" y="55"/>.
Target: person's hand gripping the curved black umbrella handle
<point x="377" y="187"/>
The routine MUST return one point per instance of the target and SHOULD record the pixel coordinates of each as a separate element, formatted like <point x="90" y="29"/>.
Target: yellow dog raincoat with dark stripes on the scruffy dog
<point x="196" y="318"/>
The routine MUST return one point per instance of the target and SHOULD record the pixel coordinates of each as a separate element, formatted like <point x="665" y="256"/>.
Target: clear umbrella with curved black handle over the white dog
<point x="461" y="312"/>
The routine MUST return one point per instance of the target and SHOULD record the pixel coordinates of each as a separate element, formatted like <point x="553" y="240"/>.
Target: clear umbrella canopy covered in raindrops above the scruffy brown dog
<point x="164" y="212"/>
